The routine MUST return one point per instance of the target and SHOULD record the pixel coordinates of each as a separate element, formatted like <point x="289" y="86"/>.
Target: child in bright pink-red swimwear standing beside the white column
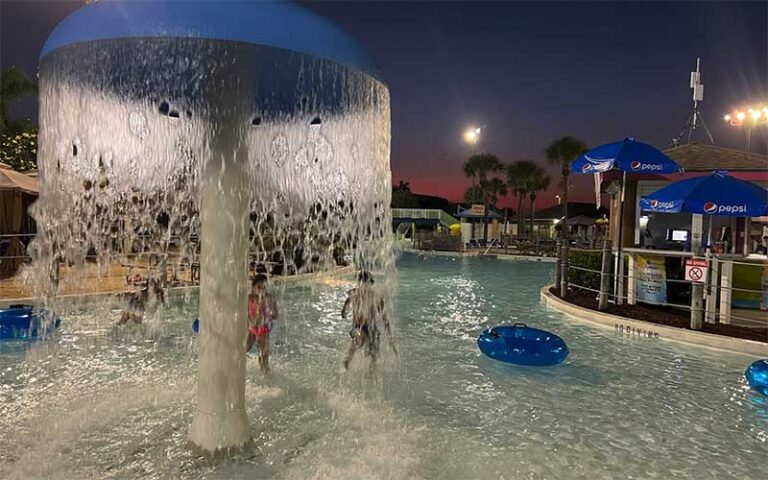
<point x="262" y="311"/>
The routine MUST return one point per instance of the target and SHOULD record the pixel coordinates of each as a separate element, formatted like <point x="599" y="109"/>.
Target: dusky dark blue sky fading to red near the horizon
<point x="527" y="72"/>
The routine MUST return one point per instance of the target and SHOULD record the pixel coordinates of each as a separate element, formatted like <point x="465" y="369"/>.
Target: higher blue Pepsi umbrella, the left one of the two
<point x="628" y="155"/>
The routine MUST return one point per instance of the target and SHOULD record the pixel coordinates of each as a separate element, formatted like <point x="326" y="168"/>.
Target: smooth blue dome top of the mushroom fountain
<point x="278" y="24"/>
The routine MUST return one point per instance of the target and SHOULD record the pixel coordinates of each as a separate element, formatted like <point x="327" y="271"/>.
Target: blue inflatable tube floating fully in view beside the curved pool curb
<point x="523" y="345"/>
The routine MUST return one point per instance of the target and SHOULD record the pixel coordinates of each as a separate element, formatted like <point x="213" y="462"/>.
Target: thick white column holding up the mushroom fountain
<point x="220" y="421"/>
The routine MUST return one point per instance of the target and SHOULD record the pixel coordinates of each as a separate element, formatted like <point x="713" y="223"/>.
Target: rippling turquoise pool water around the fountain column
<point x="102" y="402"/>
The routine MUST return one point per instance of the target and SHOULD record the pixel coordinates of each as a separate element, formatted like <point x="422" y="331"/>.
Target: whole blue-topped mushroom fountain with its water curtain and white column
<point x="222" y="119"/>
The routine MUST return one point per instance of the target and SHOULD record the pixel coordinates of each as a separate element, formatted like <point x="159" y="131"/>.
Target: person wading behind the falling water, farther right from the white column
<point x="367" y="306"/>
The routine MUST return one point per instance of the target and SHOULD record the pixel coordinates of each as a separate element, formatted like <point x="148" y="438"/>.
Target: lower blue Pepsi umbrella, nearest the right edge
<point x="716" y="194"/>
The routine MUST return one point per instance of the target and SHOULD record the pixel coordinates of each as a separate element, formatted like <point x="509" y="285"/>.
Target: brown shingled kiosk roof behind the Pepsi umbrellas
<point x="700" y="157"/>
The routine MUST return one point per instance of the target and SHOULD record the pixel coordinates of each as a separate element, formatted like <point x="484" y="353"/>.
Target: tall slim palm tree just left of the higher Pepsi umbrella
<point x="563" y="152"/>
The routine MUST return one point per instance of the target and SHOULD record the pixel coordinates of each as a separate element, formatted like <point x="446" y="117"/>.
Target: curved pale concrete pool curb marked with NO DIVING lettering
<point x="652" y="331"/>
